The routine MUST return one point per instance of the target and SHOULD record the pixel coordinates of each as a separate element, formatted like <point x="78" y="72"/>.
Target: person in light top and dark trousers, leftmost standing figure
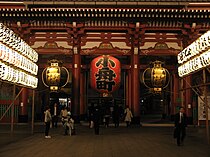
<point x="47" y="120"/>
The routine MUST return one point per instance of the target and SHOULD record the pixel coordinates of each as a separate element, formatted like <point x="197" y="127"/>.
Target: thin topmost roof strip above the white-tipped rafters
<point x="136" y="3"/>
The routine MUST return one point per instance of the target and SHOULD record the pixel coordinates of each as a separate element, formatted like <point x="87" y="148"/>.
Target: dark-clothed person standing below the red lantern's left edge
<point x="96" y="119"/>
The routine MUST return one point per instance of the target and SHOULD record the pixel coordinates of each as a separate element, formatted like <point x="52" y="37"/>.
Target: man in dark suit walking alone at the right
<point x="180" y="126"/>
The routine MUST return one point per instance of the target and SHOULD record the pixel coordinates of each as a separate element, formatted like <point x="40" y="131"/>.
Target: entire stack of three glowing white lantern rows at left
<point x="17" y="59"/>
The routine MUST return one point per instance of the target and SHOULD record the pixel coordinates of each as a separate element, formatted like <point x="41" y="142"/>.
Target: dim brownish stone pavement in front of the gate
<point x="145" y="141"/>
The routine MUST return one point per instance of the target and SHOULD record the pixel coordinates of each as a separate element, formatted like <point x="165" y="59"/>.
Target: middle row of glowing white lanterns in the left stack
<point x="14" y="58"/>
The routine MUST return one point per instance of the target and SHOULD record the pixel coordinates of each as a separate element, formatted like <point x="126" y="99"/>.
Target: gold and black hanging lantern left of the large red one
<point x="55" y="76"/>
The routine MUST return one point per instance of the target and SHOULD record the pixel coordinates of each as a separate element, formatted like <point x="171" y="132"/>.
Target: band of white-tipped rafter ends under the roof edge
<point x="101" y="13"/>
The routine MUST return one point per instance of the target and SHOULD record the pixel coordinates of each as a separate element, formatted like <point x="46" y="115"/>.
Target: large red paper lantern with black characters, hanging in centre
<point x="105" y="74"/>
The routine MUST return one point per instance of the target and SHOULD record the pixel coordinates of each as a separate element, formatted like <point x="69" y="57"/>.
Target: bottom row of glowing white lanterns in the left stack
<point x="13" y="75"/>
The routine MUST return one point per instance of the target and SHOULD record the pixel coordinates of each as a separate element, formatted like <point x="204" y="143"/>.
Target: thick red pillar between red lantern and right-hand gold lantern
<point x="135" y="85"/>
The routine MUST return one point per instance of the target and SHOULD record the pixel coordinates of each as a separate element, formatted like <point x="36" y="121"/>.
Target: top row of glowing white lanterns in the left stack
<point x="9" y="38"/>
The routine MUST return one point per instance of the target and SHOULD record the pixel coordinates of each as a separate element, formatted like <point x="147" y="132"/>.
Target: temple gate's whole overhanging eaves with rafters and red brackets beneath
<point x="32" y="18"/>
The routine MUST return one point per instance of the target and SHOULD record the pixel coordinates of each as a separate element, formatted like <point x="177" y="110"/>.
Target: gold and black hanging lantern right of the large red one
<point x="156" y="77"/>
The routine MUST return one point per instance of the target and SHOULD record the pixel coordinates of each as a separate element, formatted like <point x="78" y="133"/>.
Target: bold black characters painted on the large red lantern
<point x="105" y="76"/>
